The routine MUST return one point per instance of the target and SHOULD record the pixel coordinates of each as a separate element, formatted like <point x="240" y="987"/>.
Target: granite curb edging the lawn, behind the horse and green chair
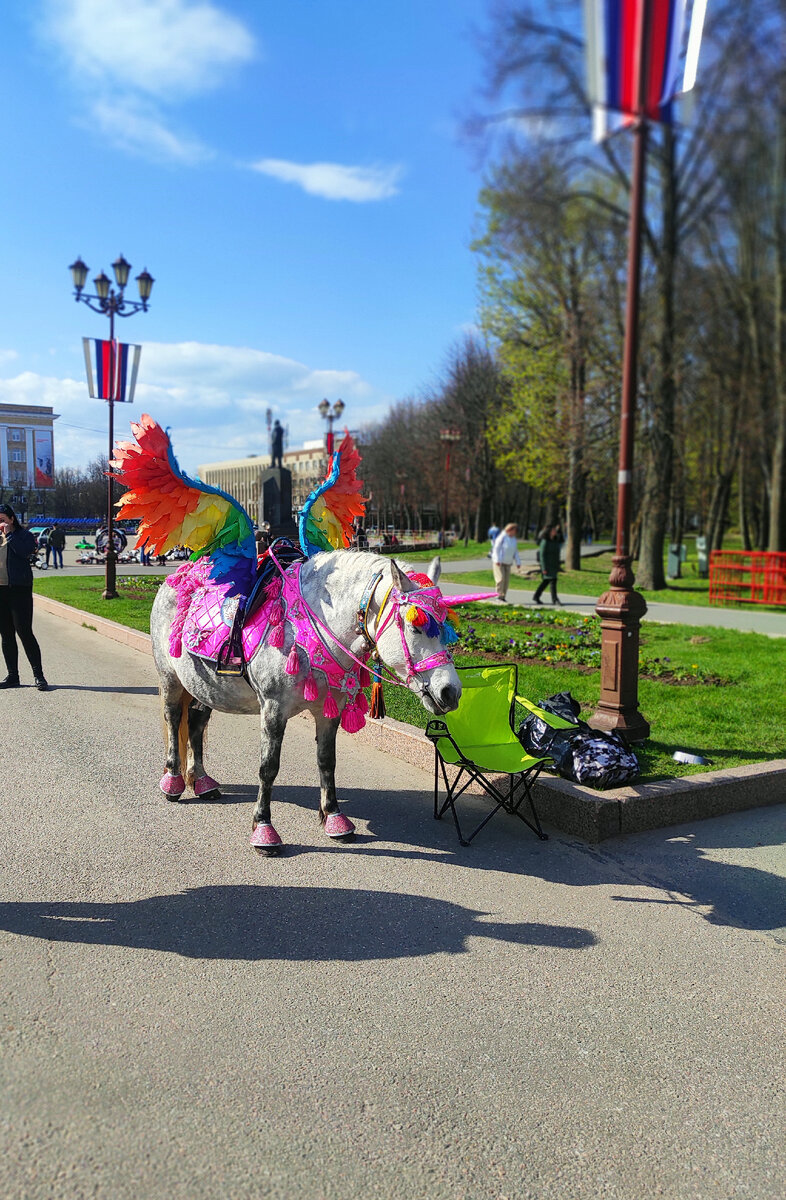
<point x="587" y="814"/>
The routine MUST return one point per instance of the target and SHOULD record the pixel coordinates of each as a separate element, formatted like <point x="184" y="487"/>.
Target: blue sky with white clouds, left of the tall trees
<point x="293" y="177"/>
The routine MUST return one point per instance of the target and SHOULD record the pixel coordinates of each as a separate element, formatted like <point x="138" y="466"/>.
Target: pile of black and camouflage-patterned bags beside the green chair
<point x="583" y="755"/>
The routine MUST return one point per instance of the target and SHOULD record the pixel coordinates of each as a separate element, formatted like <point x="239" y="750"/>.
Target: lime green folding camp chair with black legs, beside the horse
<point x="478" y="740"/>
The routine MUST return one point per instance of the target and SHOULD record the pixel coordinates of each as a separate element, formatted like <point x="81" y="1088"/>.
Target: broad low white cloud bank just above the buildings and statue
<point x="213" y="398"/>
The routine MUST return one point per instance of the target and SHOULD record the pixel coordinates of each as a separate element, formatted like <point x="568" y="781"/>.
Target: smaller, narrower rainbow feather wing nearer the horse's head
<point x="328" y="515"/>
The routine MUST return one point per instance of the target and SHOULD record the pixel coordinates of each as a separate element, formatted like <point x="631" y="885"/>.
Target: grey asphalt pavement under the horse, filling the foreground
<point x="399" y="1018"/>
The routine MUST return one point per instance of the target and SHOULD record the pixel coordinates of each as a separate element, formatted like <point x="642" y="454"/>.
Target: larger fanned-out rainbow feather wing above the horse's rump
<point x="175" y="511"/>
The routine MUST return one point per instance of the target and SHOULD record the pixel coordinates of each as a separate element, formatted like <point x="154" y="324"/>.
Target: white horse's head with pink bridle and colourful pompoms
<point x="415" y="635"/>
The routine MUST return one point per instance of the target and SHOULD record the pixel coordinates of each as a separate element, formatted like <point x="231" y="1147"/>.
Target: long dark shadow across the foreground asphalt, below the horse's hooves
<point x="249" y="923"/>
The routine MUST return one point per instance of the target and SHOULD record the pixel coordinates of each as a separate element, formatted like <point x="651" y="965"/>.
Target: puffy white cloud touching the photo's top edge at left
<point x="164" y="49"/>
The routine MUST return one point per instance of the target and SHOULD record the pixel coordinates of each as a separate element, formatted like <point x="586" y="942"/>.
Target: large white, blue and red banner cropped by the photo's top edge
<point x="614" y="32"/>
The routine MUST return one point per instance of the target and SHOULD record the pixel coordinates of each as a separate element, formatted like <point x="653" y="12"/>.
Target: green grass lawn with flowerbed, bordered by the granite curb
<point x="713" y="692"/>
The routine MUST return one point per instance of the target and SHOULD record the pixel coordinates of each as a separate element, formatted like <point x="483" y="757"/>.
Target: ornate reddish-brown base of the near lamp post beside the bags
<point x="621" y="610"/>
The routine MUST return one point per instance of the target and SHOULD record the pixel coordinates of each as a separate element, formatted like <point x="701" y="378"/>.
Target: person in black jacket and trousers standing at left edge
<point x="16" y="599"/>
